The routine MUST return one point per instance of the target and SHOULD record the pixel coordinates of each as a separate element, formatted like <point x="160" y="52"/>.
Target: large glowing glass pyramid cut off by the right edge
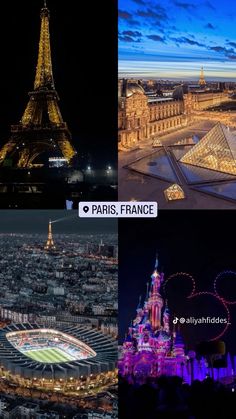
<point x="216" y="151"/>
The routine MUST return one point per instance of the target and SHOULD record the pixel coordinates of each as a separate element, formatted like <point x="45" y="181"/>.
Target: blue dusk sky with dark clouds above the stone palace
<point x="173" y="38"/>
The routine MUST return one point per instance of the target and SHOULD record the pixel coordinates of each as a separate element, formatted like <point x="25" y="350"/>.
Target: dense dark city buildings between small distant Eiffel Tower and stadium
<point x="69" y="281"/>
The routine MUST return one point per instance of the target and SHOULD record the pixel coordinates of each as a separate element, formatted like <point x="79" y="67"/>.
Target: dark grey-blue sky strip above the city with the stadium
<point x="36" y="221"/>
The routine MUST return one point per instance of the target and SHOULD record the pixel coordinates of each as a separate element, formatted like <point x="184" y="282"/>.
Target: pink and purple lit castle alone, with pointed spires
<point x="151" y="348"/>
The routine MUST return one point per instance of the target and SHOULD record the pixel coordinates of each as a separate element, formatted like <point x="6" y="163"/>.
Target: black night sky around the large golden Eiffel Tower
<point x="84" y="53"/>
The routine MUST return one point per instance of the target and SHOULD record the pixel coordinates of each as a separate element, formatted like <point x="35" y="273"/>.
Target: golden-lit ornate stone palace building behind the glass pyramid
<point x="141" y="118"/>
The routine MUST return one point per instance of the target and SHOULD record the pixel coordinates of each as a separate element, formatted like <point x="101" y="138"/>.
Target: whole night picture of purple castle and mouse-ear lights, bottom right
<point x="177" y="351"/>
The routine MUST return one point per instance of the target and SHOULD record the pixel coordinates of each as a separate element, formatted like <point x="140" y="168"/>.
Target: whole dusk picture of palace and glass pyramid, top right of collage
<point x="177" y="103"/>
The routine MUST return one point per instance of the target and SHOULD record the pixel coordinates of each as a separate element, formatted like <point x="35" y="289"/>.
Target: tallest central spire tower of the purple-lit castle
<point x="155" y="301"/>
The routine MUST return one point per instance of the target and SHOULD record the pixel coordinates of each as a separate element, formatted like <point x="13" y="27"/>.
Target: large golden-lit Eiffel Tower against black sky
<point x="41" y="128"/>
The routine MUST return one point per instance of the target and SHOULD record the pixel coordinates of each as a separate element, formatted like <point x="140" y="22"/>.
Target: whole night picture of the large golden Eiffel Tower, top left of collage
<point x="51" y="156"/>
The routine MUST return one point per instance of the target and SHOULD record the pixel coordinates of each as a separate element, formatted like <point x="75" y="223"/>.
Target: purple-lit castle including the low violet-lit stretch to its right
<point x="152" y="348"/>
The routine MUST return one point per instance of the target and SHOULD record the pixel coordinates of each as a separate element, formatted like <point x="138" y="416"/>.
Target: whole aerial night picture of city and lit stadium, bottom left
<point x="58" y="310"/>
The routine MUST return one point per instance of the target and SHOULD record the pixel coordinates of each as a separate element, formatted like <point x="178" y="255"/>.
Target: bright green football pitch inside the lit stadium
<point x="49" y="355"/>
